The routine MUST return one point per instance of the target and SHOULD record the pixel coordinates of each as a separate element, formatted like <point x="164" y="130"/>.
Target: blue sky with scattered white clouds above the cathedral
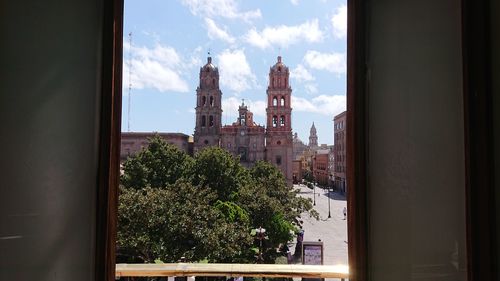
<point x="171" y="40"/>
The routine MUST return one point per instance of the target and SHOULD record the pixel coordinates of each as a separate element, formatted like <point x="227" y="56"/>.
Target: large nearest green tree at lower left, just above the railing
<point x="177" y="221"/>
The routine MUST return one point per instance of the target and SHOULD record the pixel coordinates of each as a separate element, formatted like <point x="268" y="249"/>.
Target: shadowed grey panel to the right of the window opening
<point x="416" y="141"/>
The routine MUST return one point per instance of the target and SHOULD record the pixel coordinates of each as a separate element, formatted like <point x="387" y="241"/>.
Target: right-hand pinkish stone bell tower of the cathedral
<point x="279" y="139"/>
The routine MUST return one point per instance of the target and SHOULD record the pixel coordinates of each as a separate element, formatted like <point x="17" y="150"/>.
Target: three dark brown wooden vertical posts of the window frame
<point x="480" y="206"/>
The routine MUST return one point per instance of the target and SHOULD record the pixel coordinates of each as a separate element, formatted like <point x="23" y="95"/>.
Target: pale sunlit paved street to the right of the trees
<point x="332" y="231"/>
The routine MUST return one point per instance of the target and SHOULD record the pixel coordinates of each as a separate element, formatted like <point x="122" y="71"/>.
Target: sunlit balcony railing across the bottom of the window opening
<point x="231" y="270"/>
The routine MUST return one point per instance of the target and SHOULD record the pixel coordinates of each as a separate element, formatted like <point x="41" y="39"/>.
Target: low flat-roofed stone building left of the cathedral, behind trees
<point x="133" y="142"/>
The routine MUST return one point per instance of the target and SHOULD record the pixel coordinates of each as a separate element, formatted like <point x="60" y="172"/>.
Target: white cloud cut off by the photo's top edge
<point x="221" y="8"/>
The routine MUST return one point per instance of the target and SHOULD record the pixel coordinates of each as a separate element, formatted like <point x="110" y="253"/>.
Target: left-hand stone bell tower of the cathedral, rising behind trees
<point x="208" y="108"/>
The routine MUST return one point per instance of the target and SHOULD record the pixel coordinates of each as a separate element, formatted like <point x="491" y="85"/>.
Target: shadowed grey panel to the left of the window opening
<point x="49" y="97"/>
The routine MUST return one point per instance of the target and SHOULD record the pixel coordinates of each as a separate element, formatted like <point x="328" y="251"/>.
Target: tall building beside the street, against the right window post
<point x="340" y="151"/>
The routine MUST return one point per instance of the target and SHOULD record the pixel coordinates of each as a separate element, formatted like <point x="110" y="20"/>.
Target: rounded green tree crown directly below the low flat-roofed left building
<point x="156" y="165"/>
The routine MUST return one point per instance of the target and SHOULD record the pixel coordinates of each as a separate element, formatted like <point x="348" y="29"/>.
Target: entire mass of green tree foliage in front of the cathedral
<point x="203" y="208"/>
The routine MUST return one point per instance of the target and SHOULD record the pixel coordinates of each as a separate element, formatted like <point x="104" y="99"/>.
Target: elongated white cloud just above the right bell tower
<point x="284" y="35"/>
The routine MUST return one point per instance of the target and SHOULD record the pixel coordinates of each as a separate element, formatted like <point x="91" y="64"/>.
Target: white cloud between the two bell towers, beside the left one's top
<point x="235" y="72"/>
